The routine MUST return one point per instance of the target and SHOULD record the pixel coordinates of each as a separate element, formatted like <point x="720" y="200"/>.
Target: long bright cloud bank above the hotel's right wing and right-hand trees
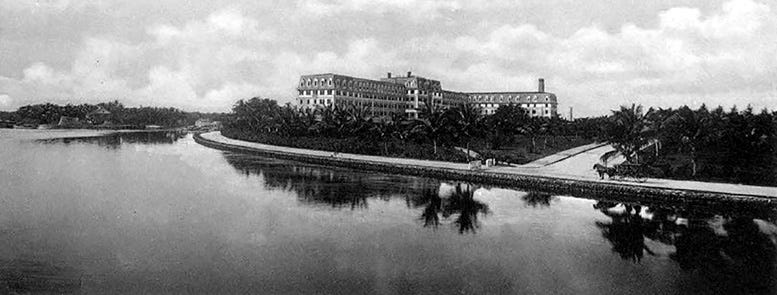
<point x="723" y="57"/>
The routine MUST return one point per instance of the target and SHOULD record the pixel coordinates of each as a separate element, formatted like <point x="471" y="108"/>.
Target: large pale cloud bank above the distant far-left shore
<point x="185" y="66"/>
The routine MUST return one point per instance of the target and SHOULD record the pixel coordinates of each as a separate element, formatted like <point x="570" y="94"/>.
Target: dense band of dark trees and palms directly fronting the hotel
<point x="433" y="135"/>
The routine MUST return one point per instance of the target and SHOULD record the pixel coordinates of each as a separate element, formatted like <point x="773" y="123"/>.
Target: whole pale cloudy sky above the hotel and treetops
<point x="205" y="55"/>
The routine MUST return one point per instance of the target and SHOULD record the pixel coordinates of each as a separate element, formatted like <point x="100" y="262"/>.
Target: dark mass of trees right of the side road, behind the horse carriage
<point x="734" y="145"/>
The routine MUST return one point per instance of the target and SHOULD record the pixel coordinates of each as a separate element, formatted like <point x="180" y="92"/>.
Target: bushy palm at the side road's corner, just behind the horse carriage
<point x="628" y="130"/>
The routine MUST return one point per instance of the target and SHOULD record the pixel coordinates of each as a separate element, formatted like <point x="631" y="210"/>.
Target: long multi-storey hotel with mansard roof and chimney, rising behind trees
<point x="408" y="94"/>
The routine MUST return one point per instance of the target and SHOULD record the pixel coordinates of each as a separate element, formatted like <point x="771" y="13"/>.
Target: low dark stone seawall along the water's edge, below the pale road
<point x="621" y="191"/>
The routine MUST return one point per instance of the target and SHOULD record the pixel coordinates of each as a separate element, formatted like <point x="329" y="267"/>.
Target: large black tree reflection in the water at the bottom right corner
<point x="730" y="249"/>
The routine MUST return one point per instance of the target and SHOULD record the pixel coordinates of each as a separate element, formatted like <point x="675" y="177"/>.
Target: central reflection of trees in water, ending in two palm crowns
<point x="350" y="189"/>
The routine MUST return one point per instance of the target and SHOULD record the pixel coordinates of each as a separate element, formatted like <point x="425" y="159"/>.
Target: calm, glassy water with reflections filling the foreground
<point x="156" y="213"/>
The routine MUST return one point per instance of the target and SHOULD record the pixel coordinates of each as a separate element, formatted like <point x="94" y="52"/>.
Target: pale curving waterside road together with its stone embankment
<point x="524" y="180"/>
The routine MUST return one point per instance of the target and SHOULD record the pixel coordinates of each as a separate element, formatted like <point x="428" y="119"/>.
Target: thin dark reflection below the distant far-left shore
<point x="115" y="140"/>
